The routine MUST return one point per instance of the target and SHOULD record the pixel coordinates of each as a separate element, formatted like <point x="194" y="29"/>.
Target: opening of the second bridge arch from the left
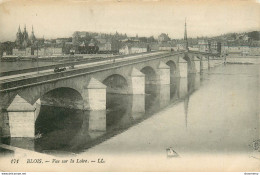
<point x="116" y="83"/>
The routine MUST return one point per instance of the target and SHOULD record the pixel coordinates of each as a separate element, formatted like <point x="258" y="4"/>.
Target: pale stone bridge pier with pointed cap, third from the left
<point x="138" y="82"/>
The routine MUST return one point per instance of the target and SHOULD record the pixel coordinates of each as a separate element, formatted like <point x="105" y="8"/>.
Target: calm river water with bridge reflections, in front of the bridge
<point x="216" y="111"/>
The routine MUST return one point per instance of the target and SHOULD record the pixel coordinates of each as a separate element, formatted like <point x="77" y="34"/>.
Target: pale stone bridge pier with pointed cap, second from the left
<point x="94" y="96"/>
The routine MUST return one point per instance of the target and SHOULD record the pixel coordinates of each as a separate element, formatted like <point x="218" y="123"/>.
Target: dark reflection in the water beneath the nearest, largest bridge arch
<point x="57" y="127"/>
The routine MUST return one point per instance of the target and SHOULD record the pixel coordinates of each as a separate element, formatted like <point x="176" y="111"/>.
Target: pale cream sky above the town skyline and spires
<point x="53" y="19"/>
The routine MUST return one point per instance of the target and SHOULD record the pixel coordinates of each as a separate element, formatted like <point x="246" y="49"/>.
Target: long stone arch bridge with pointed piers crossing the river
<point x="86" y="87"/>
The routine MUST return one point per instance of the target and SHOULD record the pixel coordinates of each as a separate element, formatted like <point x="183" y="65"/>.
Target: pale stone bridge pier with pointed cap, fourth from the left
<point x="164" y="73"/>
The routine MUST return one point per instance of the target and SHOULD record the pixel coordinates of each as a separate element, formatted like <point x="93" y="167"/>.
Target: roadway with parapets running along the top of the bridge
<point x="17" y="81"/>
